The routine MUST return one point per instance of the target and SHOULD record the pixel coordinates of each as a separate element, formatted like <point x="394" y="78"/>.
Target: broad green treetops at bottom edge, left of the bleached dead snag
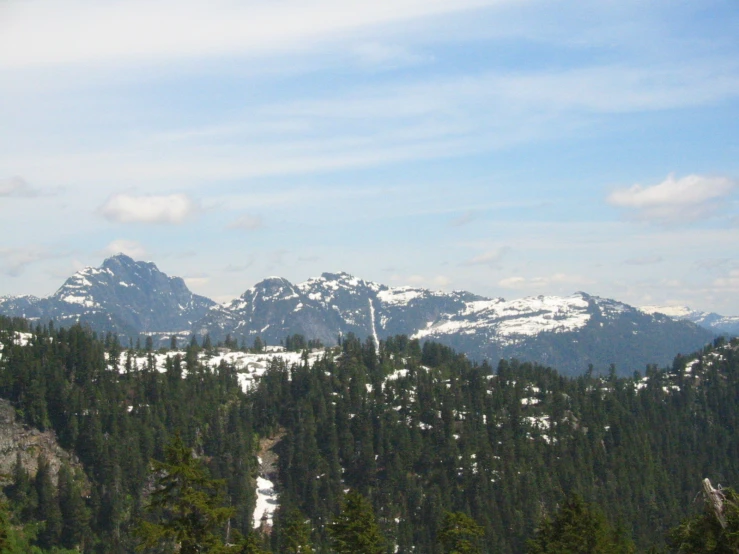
<point x="578" y="528"/>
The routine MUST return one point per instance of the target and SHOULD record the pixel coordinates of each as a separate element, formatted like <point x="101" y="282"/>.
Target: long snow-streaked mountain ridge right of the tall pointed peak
<point x="569" y="333"/>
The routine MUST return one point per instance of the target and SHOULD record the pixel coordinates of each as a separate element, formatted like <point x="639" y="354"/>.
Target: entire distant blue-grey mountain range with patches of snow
<point x="569" y="333"/>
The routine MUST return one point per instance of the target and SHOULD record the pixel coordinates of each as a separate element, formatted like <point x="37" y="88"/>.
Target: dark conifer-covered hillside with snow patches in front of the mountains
<point x="419" y="431"/>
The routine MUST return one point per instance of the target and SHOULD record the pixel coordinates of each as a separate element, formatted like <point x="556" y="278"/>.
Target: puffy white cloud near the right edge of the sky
<point x="675" y="200"/>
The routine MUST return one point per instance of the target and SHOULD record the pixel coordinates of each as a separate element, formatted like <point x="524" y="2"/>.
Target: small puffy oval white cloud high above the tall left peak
<point x="172" y="209"/>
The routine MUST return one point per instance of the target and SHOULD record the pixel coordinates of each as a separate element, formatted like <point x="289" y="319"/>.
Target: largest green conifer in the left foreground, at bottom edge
<point x="185" y="506"/>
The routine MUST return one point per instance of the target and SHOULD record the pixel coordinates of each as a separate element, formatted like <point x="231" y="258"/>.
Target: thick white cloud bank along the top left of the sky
<point x="157" y="30"/>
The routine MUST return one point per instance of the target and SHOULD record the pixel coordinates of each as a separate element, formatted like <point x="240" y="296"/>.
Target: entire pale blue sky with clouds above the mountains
<point x="509" y="148"/>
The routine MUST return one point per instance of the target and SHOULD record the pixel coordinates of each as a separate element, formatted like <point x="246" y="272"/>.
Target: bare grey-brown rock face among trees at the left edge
<point x="19" y="439"/>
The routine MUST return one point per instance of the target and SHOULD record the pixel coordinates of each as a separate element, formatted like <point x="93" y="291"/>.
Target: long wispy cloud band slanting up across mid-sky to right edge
<point x="373" y="125"/>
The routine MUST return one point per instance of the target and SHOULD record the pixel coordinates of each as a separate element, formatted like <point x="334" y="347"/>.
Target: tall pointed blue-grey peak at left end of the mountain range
<point x="123" y="296"/>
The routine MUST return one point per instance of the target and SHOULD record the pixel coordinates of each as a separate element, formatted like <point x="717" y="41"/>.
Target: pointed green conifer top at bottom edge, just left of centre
<point x="355" y="530"/>
